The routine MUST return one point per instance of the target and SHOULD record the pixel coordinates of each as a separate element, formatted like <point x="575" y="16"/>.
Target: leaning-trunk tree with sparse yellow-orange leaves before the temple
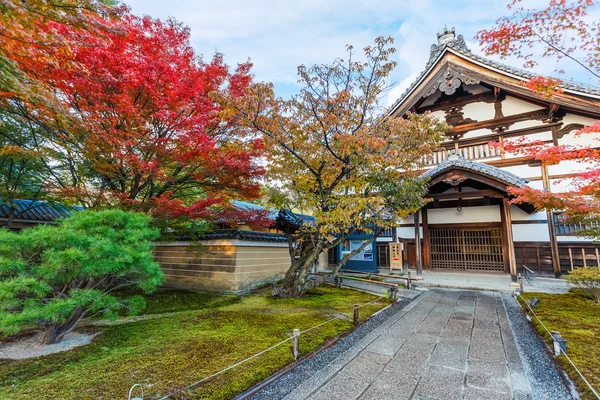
<point x="332" y="146"/>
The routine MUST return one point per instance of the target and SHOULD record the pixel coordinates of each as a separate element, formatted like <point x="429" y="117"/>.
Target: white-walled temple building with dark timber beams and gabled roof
<point x="470" y="225"/>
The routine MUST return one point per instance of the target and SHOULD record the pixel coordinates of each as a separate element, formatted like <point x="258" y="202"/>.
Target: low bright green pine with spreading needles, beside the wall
<point x="55" y="276"/>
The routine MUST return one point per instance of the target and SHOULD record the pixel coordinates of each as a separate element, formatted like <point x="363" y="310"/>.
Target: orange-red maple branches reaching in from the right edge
<point x="563" y="31"/>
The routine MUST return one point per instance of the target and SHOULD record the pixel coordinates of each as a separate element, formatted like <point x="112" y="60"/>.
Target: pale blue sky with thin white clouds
<point x="277" y="36"/>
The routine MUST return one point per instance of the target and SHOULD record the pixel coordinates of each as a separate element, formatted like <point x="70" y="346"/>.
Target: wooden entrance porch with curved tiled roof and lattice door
<point x="468" y="246"/>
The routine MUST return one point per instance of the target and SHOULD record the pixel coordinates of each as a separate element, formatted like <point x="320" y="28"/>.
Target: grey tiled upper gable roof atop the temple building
<point x="458" y="45"/>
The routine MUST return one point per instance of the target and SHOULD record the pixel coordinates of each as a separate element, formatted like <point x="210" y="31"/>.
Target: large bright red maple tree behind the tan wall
<point x="132" y="120"/>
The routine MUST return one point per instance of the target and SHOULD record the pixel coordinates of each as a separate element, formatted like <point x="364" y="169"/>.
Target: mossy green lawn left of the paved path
<point x="168" y="353"/>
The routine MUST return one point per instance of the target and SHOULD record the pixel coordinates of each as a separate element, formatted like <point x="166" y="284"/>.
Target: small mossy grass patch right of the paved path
<point x="577" y="318"/>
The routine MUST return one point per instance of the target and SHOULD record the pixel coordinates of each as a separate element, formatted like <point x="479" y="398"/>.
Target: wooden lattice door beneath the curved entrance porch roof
<point x="467" y="249"/>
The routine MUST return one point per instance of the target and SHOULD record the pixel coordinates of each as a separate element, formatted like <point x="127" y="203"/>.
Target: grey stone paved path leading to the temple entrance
<point x="447" y="344"/>
